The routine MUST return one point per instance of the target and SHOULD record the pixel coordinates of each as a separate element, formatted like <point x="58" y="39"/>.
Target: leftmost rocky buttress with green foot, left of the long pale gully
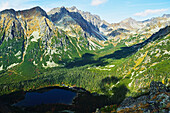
<point x="12" y="39"/>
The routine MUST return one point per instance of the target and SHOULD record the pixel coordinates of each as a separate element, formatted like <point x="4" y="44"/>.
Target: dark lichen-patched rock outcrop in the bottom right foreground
<point x="158" y="101"/>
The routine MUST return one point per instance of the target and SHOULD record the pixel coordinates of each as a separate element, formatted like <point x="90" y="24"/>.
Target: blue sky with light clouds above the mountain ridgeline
<point x="112" y="11"/>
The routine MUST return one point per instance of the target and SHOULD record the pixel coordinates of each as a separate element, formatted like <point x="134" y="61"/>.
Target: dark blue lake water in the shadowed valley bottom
<point x="53" y="96"/>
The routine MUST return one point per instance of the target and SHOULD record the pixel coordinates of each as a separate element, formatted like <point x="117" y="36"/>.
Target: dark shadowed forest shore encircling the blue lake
<point x="78" y="102"/>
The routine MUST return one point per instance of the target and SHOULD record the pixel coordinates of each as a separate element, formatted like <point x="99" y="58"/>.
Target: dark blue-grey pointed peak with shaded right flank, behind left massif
<point x="74" y="19"/>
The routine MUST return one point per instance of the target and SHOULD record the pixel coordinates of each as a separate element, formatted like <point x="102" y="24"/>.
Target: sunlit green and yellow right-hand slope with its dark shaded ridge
<point x="143" y="63"/>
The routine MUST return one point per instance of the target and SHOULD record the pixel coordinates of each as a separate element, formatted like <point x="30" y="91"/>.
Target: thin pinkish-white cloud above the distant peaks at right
<point x="149" y="12"/>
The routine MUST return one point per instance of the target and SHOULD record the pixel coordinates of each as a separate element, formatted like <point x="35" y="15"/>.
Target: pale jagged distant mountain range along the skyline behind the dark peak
<point x="106" y="28"/>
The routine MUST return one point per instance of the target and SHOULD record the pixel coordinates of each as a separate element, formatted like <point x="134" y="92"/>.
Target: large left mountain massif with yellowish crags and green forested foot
<point x="24" y="33"/>
